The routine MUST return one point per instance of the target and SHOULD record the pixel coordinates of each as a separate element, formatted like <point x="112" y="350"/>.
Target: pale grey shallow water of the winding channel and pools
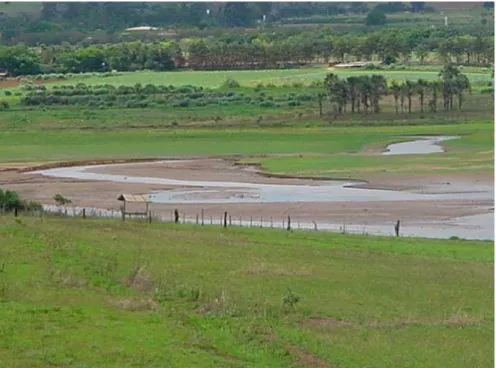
<point x="216" y="192"/>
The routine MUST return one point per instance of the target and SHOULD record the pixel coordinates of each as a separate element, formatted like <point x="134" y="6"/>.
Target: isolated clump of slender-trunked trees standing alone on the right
<point x="364" y="93"/>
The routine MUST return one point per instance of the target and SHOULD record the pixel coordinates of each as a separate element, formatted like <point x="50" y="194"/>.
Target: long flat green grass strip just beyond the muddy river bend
<point x="55" y="145"/>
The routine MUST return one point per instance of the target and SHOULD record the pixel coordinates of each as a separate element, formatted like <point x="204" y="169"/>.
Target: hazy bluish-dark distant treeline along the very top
<point x="118" y="16"/>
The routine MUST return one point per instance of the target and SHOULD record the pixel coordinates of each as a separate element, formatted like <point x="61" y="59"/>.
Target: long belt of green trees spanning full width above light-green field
<point x="265" y="50"/>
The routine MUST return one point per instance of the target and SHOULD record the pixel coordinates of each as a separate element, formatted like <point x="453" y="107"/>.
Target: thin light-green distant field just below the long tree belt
<point x="215" y="79"/>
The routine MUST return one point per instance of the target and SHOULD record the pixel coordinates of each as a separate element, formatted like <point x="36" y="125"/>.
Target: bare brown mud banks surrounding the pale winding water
<point x="102" y="194"/>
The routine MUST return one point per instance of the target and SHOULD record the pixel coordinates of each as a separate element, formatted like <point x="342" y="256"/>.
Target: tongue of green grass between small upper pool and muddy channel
<point x="472" y="153"/>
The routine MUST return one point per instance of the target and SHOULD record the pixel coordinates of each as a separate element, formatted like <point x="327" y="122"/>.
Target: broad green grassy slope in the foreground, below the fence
<point x="103" y="293"/>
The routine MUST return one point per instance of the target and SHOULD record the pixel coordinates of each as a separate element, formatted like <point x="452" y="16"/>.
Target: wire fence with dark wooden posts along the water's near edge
<point x="225" y="219"/>
